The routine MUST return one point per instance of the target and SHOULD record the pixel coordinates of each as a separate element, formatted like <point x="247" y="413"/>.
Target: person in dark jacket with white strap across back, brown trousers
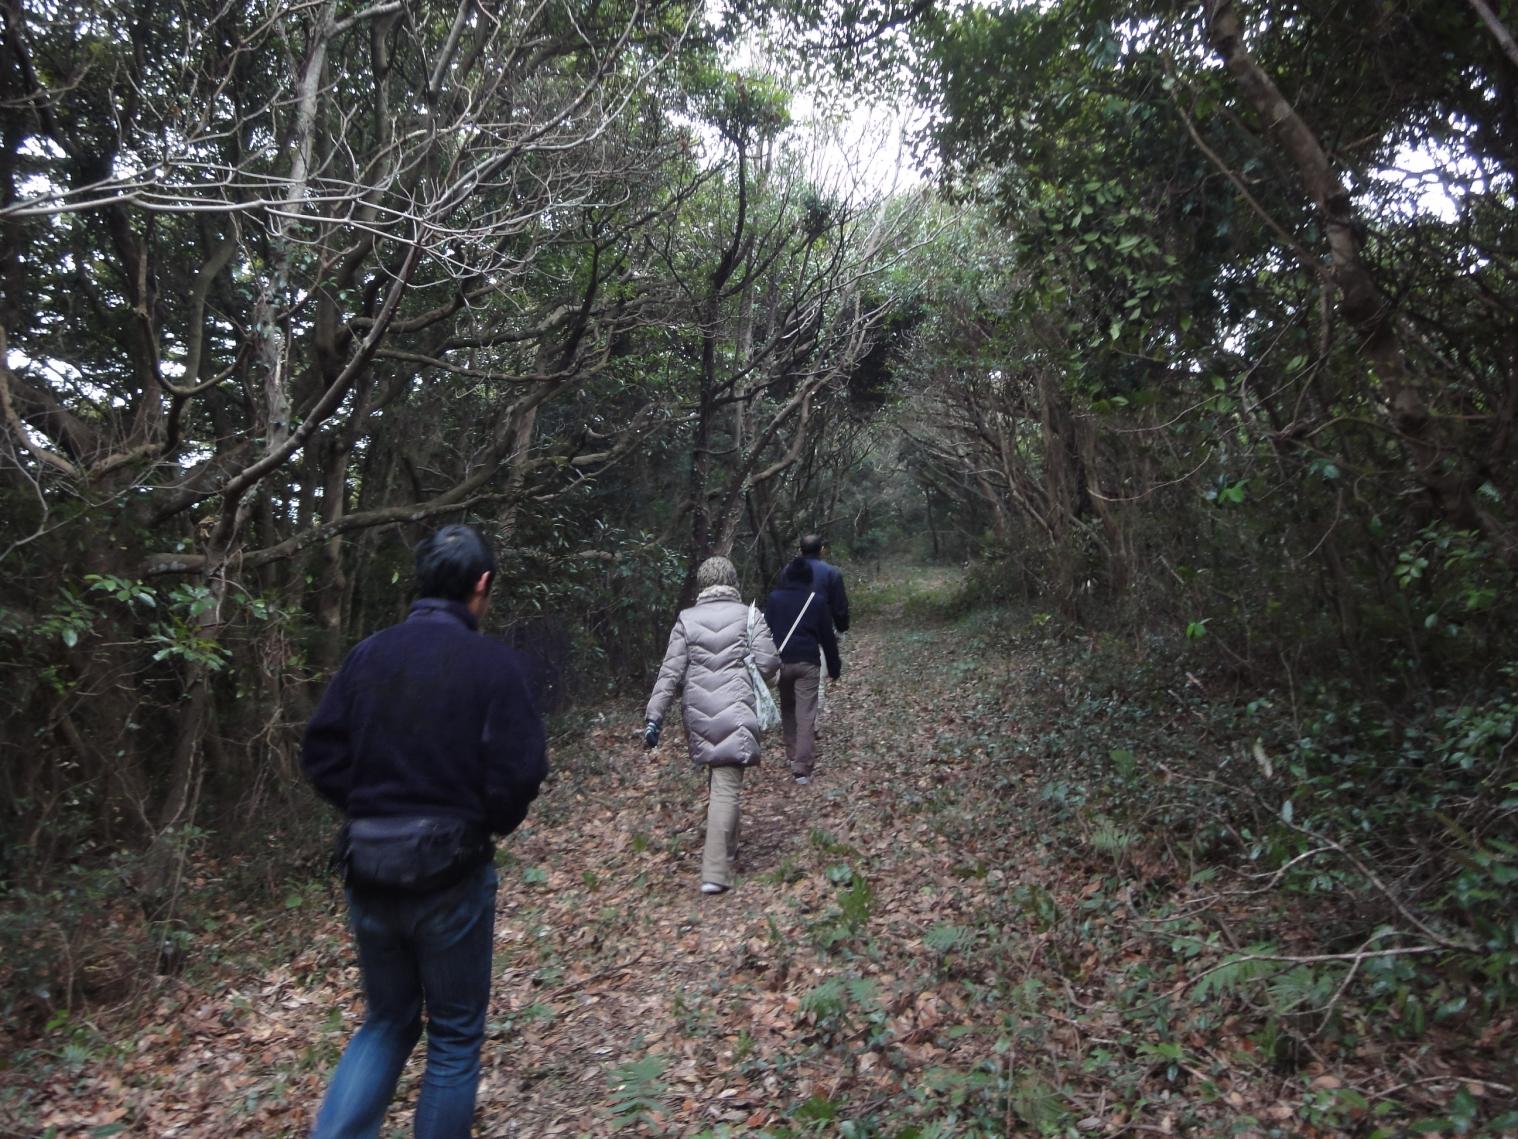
<point x="802" y="625"/>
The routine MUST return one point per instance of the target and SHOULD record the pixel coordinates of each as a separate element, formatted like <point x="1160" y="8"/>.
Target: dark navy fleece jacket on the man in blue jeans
<point x="429" y="719"/>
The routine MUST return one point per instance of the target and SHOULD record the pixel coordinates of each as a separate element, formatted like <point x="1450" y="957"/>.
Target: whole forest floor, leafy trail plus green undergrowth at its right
<point x="1045" y="886"/>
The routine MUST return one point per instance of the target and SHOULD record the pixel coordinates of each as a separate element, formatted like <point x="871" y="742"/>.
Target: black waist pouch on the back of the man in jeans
<point x="411" y="854"/>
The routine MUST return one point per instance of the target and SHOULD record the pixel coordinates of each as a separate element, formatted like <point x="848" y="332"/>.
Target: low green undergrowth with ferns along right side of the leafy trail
<point x="1337" y="877"/>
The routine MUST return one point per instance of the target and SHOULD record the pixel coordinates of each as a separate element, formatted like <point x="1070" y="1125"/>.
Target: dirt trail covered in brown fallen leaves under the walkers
<point x="625" y="1000"/>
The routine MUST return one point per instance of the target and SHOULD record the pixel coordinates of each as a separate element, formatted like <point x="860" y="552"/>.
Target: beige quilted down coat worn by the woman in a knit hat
<point x="707" y="657"/>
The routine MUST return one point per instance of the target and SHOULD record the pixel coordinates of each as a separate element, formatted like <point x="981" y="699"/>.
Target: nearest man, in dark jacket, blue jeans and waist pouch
<point x="429" y="743"/>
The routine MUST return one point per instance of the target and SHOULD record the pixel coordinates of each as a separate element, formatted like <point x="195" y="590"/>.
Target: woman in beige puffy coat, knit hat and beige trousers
<point x="707" y="658"/>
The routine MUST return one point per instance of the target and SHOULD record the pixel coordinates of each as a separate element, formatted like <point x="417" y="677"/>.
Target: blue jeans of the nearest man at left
<point x="435" y="951"/>
